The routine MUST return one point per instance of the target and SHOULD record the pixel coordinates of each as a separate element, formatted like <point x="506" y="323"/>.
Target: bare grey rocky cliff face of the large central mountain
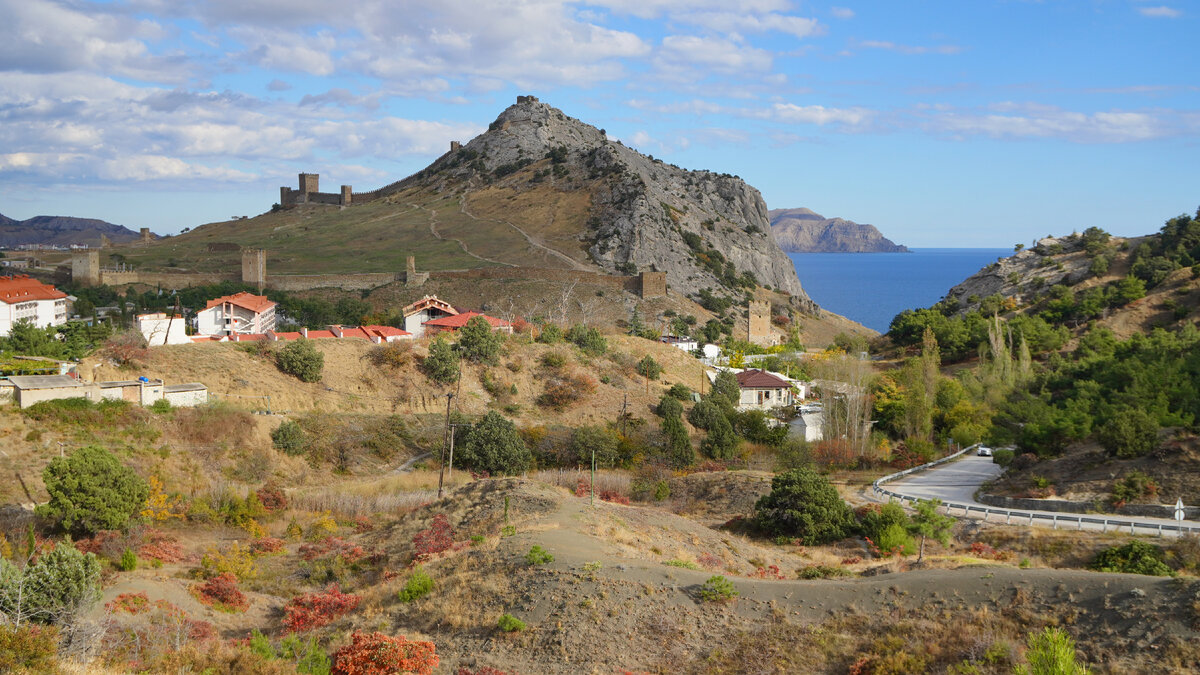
<point x="704" y="230"/>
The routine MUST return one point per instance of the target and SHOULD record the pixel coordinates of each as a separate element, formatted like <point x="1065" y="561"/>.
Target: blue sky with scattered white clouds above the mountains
<point x="946" y="124"/>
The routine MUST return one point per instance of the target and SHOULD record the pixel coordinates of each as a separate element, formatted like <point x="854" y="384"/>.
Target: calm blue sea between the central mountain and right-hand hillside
<point x="872" y="289"/>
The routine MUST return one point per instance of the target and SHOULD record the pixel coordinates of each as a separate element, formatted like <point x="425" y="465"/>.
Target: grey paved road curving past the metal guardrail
<point x="958" y="481"/>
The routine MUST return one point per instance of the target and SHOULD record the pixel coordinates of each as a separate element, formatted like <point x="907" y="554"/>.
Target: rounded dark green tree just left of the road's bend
<point x="802" y="504"/>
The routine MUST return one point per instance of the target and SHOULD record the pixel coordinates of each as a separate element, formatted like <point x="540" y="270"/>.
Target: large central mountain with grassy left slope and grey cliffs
<point x="537" y="190"/>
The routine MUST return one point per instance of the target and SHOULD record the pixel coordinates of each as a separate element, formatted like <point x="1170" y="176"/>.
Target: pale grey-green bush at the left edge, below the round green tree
<point x="61" y="584"/>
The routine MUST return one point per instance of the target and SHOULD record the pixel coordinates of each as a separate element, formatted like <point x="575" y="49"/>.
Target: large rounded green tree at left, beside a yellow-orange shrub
<point x="92" y="491"/>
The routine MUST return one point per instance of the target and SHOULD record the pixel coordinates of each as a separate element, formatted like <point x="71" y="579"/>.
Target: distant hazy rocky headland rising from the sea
<point x="803" y="231"/>
